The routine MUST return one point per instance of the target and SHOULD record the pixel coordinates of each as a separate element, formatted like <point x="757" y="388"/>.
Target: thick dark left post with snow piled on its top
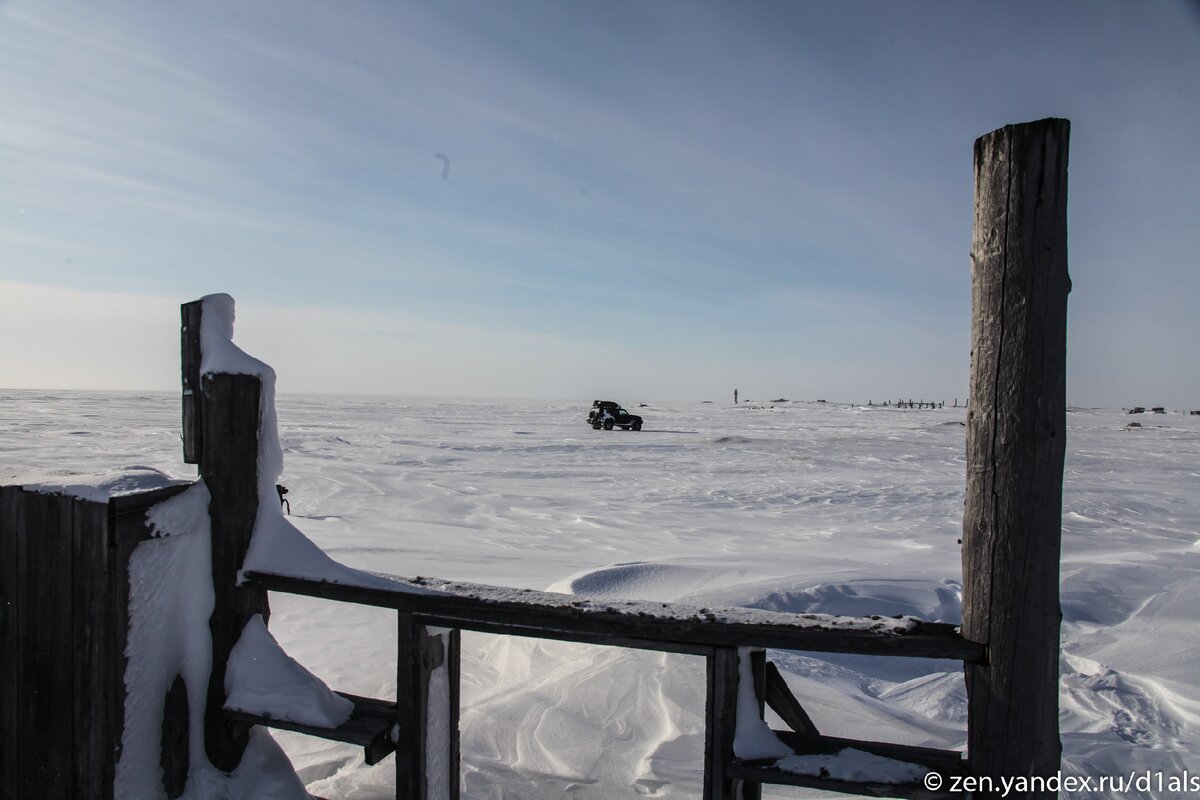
<point x="230" y="470"/>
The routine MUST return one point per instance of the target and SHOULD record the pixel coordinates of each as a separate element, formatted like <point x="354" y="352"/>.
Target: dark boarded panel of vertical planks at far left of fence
<point x="64" y="624"/>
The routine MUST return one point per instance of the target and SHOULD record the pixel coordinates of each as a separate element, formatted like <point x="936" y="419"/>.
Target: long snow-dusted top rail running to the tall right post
<point x="547" y="616"/>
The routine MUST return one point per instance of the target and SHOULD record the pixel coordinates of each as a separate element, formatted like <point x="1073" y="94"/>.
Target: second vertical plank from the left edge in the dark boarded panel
<point x="45" y="727"/>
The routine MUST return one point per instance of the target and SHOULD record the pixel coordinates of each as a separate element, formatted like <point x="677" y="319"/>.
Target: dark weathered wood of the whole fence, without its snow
<point x="64" y="584"/>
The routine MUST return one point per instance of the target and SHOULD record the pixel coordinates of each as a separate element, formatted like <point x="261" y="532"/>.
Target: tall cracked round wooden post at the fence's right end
<point x="1012" y="525"/>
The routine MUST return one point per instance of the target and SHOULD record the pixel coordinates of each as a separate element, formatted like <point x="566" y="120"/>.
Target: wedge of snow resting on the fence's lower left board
<point x="263" y="681"/>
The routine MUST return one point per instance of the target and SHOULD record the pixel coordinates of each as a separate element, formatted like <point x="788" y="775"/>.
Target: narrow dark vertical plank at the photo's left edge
<point x="10" y="639"/>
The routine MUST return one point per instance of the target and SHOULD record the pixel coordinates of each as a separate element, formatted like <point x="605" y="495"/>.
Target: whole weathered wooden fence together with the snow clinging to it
<point x="134" y="621"/>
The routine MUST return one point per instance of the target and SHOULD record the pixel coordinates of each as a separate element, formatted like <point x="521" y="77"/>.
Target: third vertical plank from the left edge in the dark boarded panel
<point x="94" y="663"/>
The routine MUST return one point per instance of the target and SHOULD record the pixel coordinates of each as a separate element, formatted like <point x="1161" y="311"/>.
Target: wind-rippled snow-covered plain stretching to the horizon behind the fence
<point x="789" y="507"/>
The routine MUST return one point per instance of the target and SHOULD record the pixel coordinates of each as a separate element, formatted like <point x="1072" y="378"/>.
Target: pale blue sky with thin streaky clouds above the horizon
<point x="629" y="201"/>
